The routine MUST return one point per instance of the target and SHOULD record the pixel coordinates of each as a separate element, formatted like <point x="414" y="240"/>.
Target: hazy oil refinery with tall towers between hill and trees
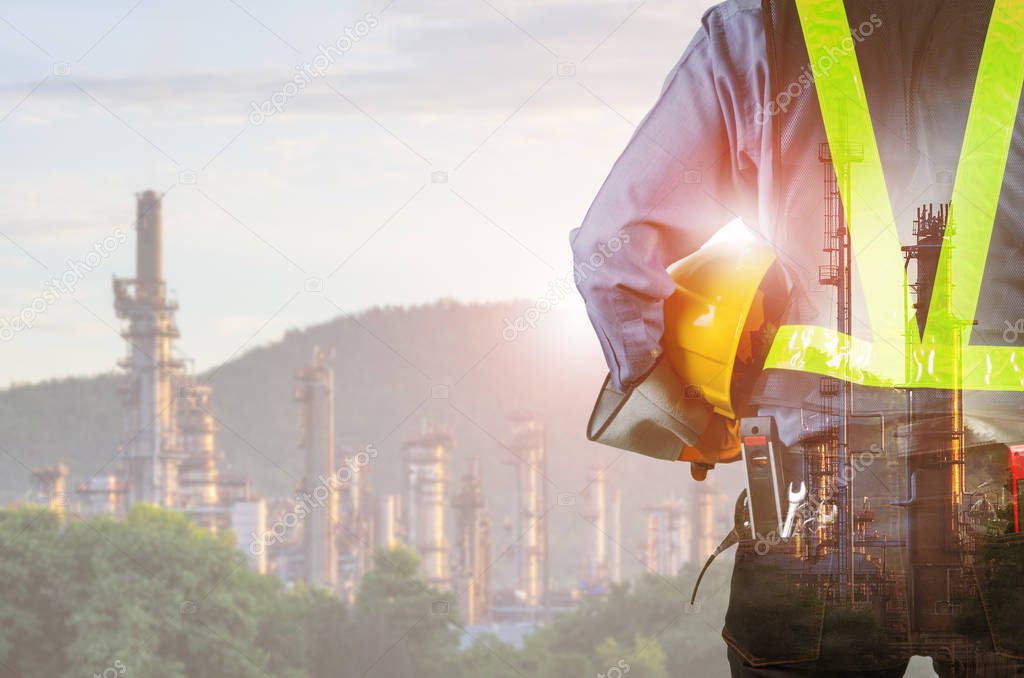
<point x="327" y="534"/>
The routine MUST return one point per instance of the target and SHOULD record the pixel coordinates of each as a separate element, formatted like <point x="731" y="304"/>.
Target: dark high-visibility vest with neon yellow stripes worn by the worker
<point x="919" y="102"/>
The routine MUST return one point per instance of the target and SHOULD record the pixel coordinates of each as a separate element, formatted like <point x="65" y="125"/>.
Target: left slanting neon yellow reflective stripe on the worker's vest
<point x="874" y="238"/>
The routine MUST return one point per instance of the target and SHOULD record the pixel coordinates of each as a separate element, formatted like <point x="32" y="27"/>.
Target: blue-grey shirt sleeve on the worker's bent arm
<point x="685" y="175"/>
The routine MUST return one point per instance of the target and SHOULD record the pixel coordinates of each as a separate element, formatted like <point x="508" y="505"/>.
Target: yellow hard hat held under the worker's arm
<point x="716" y="327"/>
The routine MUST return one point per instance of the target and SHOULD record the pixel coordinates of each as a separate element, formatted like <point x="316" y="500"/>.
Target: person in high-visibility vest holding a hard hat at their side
<point x="906" y="104"/>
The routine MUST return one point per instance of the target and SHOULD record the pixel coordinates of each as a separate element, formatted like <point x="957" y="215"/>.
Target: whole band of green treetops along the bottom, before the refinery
<point x="155" y="597"/>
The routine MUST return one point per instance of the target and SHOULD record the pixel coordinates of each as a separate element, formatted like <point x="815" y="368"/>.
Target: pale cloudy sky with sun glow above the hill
<point x="438" y="149"/>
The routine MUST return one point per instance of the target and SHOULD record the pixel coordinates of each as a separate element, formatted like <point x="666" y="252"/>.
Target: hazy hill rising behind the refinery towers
<point x="452" y="364"/>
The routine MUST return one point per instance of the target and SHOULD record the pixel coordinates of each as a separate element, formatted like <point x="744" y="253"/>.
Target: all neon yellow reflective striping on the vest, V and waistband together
<point x="943" y="360"/>
